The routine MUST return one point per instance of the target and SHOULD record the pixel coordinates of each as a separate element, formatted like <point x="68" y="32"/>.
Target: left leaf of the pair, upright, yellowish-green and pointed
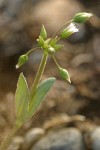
<point x="22" y="99"/>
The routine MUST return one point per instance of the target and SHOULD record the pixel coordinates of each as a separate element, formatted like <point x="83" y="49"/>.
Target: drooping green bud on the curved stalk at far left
<point x="22" y="60"/>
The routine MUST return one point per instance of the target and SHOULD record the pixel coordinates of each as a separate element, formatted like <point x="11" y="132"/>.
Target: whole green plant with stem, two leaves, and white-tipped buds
<point x="28" y="100"/>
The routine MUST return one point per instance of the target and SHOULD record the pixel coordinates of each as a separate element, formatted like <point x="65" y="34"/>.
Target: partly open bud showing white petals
<point x="69" y="31"/>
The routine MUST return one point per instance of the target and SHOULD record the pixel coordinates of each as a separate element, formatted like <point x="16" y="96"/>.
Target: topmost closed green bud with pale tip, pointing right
<point x="82" y="17"/>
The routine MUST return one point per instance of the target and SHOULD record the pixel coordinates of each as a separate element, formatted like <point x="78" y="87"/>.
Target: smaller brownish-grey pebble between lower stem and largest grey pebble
<point x="32" y="136"/>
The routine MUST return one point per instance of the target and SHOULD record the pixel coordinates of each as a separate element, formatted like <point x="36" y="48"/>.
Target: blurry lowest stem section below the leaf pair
<point x="8" y="139"/>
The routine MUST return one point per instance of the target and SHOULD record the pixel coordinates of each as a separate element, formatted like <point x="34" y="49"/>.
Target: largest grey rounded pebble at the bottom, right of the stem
<point x="62" y="139"/>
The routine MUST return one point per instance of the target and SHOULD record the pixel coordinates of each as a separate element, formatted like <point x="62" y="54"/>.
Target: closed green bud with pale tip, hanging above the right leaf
<point x="64" y="74"/>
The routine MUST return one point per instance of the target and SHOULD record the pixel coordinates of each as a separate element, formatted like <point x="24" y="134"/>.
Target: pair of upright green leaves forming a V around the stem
<point x="25" y="105"/>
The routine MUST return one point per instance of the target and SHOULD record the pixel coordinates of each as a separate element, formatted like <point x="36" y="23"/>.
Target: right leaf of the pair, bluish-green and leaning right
<point x="40" y="94"/>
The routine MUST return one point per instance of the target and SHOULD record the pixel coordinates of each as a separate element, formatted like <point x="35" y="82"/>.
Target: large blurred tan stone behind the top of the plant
<point x="54" y="13"/>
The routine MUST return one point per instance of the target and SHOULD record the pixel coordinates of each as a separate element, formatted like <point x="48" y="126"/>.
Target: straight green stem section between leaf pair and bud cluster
<point x="39" y="74"/>
